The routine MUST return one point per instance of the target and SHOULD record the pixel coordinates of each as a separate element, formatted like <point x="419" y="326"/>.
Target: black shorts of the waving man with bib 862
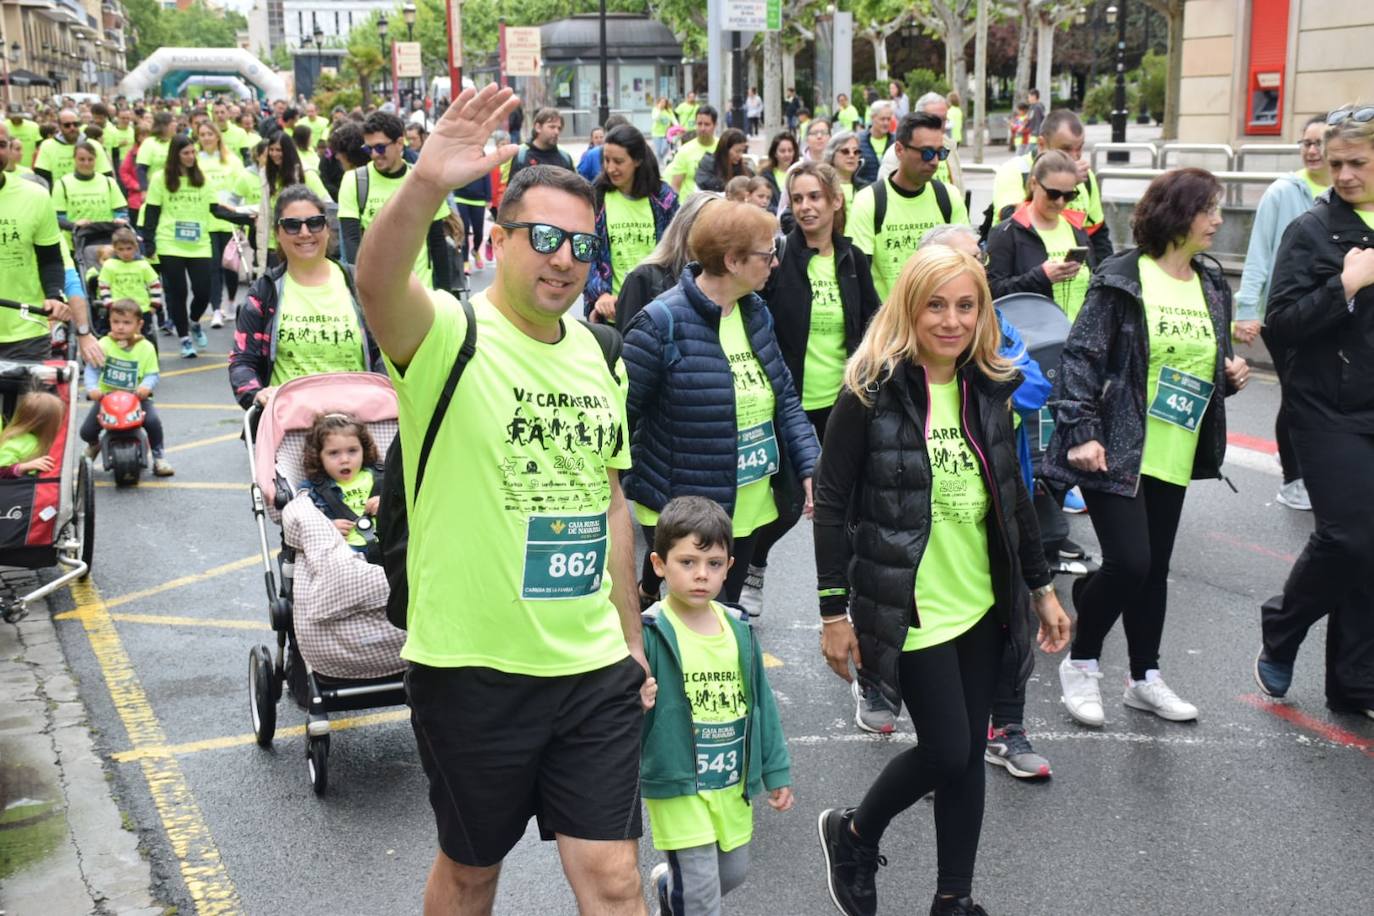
<point x="502" y="748"/>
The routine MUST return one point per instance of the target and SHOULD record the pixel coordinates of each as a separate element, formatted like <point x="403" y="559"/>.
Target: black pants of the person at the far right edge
<point x="1333" y="575"/>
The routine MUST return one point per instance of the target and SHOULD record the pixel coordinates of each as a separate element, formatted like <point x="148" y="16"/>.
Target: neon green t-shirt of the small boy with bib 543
<point x="719" y="708"/>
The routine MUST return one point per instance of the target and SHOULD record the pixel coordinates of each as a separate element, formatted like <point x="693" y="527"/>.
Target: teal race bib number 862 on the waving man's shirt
<point x="565" y="557"/>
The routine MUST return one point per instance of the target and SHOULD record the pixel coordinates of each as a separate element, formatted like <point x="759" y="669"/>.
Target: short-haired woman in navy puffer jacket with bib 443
<point x="712" y="406"/>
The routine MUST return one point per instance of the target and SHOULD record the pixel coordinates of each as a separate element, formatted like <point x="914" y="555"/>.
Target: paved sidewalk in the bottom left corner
<point x="64" y="844"/>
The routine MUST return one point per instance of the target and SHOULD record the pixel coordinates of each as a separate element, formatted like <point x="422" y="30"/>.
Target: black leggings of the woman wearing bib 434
<point x="1137" y="536"/>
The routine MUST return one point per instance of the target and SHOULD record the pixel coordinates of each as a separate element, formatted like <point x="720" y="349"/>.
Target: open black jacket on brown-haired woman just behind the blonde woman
<point x="788" y="296"/>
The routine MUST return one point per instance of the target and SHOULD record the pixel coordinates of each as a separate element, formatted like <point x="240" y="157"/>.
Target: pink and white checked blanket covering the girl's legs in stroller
<point x="340" y="601"/>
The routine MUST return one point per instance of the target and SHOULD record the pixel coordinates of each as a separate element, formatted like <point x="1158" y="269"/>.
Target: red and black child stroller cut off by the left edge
<point x="52" y="520"/>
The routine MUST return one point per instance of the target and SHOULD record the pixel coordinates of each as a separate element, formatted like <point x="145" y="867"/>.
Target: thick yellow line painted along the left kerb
<point x="203" y="870"/>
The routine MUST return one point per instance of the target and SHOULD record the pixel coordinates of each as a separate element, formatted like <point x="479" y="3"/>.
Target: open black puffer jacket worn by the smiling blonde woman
<point x="873" y="514"/>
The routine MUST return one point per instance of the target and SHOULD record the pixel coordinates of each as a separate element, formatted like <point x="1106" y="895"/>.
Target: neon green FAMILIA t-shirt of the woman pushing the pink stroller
<point x="317" y="330"/>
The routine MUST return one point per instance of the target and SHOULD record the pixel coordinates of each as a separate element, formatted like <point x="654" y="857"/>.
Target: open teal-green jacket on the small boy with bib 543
<point x="668" y="759"/>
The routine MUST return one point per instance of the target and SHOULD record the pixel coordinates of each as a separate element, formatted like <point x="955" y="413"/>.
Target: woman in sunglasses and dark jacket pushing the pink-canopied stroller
<point x="303" y="317"/>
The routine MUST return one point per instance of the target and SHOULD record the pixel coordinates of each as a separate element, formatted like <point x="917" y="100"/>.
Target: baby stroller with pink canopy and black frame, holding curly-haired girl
<point x="275" y="440"/>
